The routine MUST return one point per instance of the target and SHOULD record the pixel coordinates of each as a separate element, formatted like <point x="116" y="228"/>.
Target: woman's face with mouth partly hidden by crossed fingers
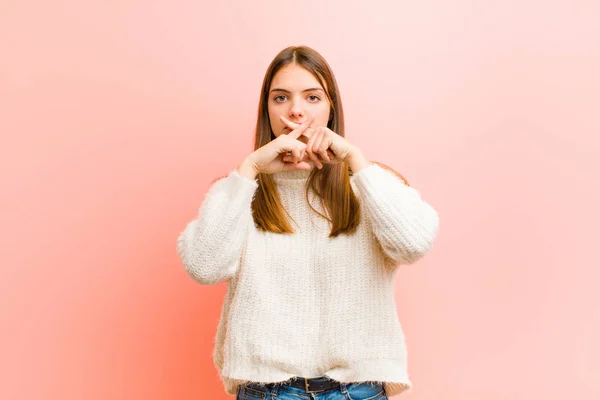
<point x="297" y="95"/>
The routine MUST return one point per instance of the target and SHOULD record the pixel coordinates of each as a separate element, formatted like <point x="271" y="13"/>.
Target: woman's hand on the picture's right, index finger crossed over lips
<point x="323" y="145"/>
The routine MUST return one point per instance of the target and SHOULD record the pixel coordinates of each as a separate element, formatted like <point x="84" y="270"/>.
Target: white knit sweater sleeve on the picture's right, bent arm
<point x="403" y="223"/>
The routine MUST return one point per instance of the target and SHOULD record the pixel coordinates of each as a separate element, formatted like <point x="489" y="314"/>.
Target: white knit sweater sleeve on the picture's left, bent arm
<point x="211" y="245"/>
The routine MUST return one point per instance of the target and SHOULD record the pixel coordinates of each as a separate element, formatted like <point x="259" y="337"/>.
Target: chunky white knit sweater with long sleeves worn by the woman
<point x="304" y="304"/>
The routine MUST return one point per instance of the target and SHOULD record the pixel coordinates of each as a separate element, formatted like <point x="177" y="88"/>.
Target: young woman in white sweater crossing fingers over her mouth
<point x="308" y="234"/>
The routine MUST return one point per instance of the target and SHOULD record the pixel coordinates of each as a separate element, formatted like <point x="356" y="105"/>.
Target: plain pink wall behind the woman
<point x="115" y="116"/>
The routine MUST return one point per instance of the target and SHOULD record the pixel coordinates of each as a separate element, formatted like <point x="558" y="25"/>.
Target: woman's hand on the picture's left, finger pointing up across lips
<point x="269" y="158"/>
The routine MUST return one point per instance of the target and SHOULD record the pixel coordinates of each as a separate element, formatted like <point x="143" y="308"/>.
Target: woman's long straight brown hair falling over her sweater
<point x="331" y="183"/>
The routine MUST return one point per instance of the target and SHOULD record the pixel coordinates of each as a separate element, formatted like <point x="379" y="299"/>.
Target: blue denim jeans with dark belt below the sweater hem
<point x="346" y="391"/>
